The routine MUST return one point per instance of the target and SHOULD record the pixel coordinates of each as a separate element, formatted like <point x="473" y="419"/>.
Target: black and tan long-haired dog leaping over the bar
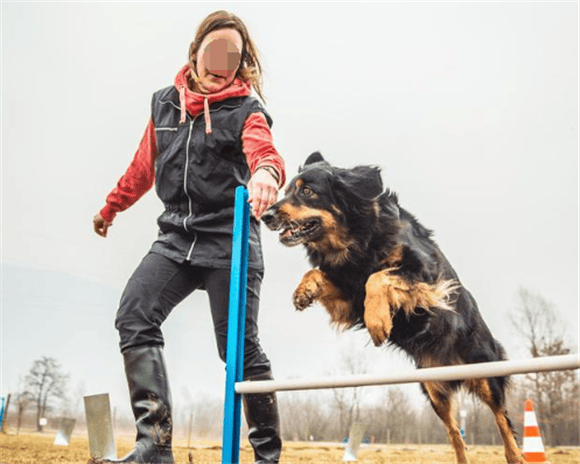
<point x="376" y="266"/>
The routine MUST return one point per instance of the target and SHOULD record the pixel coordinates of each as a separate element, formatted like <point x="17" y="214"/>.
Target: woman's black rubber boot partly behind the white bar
<point x="261" y="410"/>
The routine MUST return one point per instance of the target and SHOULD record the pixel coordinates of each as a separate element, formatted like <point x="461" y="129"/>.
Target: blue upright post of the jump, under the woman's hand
<point x="236" y="329"/>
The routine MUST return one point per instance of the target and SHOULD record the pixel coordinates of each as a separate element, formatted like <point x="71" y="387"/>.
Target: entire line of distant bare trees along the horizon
<point x="328" y="415"/>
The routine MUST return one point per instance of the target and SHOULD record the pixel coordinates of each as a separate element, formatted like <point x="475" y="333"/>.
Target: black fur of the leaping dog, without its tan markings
<point x="350" y="195"/>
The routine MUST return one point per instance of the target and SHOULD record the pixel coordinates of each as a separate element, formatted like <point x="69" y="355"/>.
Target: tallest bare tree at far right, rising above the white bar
<point x="555" y="393"/>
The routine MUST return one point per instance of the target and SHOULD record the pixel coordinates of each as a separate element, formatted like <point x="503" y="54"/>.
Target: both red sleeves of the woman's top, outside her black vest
<point x="257" y="144"/>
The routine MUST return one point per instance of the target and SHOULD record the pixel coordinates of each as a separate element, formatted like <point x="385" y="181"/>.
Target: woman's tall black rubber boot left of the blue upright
<point x="151" y="403"/>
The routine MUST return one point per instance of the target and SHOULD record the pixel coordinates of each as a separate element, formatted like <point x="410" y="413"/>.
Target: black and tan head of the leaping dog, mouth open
<point x="321" y="202"/>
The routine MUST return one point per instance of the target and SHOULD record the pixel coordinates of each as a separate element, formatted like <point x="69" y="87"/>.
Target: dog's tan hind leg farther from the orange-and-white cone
<point x="441" y="396"/>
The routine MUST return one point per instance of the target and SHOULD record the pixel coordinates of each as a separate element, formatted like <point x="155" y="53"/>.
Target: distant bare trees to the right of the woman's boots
<point x="394" y="419"/>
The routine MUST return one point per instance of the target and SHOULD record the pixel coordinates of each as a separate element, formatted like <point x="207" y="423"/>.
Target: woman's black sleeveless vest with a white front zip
<point x="196" y="175"/>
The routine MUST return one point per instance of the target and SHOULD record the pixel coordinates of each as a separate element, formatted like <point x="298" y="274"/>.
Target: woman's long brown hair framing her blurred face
<point x="250" y="69"/>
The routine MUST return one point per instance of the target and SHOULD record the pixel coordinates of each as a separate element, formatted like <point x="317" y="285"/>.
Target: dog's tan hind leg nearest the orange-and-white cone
<point x="491" y="392"/>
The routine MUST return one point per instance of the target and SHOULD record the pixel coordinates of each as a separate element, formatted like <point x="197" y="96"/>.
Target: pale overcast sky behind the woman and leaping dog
<point x="470" y="109"/>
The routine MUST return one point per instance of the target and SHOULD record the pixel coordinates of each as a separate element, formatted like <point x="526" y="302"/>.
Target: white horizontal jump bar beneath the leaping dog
<point x="457" y="372"/>
